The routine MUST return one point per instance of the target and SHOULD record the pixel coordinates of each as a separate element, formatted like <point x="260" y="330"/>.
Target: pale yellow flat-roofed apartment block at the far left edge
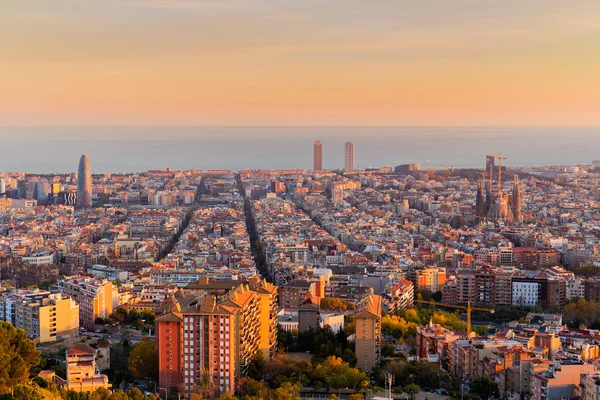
<point x="45" y="316"/>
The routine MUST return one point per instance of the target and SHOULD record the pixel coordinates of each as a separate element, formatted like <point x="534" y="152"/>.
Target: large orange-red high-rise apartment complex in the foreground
<point x="204" y="342"/>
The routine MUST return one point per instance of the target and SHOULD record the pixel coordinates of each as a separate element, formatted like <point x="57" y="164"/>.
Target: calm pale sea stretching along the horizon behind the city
<point x="127" y="149"/>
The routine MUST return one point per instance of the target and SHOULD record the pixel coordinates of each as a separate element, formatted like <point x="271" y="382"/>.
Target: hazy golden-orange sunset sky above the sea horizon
<point x="299" y="62"/>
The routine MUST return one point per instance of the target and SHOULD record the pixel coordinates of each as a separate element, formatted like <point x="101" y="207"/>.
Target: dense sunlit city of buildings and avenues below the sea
<point x="283" y="284"/>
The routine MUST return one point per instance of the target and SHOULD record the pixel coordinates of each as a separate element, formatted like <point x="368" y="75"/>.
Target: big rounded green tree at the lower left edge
<point x="18" y="355"/>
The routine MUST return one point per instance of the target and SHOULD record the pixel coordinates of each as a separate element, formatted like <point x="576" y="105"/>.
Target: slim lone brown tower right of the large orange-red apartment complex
<point x="367" y="316"/>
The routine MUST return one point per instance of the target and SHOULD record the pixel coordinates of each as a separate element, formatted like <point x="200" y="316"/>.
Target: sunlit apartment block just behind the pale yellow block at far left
<point x="94" y="297"/>
